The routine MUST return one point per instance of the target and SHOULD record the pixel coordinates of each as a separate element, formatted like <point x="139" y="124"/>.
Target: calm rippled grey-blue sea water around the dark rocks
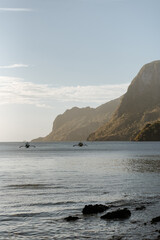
<point x="41" y="186"/>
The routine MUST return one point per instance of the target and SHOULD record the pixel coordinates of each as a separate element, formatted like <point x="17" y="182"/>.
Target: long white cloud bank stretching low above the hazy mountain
<point x="17" y="91"/>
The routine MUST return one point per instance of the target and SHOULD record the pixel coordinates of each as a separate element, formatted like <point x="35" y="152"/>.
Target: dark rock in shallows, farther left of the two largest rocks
<point x="92" y="209"/>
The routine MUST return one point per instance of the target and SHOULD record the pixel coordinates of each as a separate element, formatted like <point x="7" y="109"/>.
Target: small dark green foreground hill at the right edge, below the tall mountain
<point x="151" y="132"/>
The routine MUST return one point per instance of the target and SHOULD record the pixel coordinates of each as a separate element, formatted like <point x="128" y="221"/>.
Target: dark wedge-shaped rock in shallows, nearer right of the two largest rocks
<point x="118" y="214"/>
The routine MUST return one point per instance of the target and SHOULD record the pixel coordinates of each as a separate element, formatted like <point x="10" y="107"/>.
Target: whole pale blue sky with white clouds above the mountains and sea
<point x="57" y="54"/>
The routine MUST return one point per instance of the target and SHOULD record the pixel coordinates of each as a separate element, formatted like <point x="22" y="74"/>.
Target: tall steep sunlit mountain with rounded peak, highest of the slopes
<point x="140" y="105"/>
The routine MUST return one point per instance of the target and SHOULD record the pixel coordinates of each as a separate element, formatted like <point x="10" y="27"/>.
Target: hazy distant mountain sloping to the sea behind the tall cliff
<point x="77" y="123"/>
